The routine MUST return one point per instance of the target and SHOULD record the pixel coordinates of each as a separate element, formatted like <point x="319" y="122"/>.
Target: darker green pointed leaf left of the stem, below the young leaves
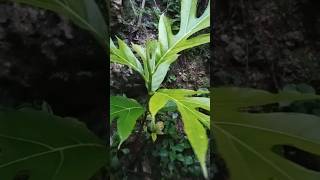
<point x="126" y="112"/>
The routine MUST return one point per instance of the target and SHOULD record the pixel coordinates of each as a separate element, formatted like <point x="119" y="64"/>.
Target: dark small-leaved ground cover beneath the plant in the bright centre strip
<point x="171" y="157"/>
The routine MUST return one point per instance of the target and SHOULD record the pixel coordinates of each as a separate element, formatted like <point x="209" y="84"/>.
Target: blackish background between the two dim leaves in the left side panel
<point x="47" y="63"/>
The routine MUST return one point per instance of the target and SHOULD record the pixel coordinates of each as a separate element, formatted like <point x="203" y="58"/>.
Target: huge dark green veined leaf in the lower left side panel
<point x="43" y="146"/>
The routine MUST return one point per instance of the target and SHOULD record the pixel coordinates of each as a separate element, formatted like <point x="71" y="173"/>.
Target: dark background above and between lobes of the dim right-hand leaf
<point x="271" y="45"/>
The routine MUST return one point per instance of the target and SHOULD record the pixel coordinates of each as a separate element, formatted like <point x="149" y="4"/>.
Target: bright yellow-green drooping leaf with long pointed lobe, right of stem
<point x="193" y="119"/>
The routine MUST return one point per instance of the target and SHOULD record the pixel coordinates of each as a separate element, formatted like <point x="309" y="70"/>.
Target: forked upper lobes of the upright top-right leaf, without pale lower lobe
<point x="189" y="25"/>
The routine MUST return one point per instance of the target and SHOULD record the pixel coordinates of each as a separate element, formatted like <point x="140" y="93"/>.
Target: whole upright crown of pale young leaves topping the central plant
<point x="158" y="55"/>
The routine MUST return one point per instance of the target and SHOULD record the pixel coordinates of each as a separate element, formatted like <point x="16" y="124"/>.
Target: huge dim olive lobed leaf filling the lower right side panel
<point x="247" y="140"/>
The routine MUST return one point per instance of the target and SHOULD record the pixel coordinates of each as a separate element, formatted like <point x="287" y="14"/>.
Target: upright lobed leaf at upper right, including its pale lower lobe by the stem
<point x="171" y="44"/>
